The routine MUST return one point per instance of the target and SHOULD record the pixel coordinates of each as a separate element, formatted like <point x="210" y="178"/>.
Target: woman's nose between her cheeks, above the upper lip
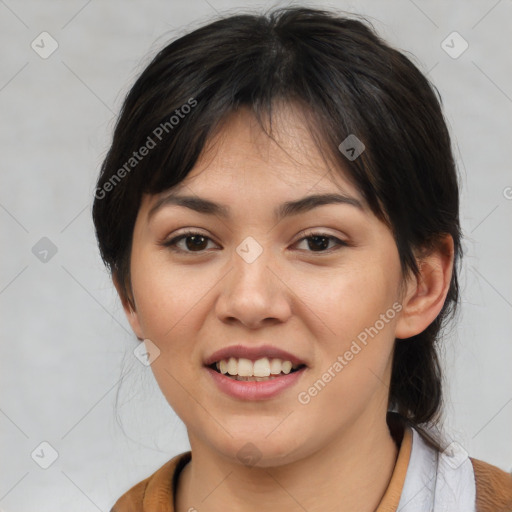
<point x="253" y="294"/>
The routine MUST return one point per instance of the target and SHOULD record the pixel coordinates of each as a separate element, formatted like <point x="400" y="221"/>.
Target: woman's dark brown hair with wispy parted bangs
<point x="349" y="81"/>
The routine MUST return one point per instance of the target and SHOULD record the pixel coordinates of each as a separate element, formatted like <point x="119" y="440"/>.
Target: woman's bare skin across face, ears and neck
<point x="308" y="302"/>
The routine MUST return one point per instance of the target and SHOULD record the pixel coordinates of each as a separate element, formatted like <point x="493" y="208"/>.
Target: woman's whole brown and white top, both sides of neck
<point x="423" y="480"/>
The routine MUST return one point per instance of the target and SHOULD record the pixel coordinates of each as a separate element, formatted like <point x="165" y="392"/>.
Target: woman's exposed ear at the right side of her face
<point x="425" y="294"/>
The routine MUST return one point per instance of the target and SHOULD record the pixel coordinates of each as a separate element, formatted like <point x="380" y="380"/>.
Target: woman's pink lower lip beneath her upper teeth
<point x="254" y="390"/>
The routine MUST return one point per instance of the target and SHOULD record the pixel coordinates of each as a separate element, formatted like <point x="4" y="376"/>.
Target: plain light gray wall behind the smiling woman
<point x="66" y="346"/>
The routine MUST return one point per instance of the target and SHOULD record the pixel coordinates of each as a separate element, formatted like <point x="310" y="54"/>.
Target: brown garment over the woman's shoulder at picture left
<point x="156" y="492"/>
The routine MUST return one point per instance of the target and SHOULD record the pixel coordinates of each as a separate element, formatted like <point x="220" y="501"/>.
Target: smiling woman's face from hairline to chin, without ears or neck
<point x="320" y="282"/>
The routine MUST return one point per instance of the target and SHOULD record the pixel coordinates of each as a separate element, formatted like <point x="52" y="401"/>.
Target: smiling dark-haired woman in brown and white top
<point x="280" y="213"/>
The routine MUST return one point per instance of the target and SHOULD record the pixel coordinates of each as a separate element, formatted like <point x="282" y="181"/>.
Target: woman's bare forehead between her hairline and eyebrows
<point x="241" y="155"/>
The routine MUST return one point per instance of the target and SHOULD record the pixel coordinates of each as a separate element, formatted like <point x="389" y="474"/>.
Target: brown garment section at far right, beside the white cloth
<point x="493" y="487"/>
